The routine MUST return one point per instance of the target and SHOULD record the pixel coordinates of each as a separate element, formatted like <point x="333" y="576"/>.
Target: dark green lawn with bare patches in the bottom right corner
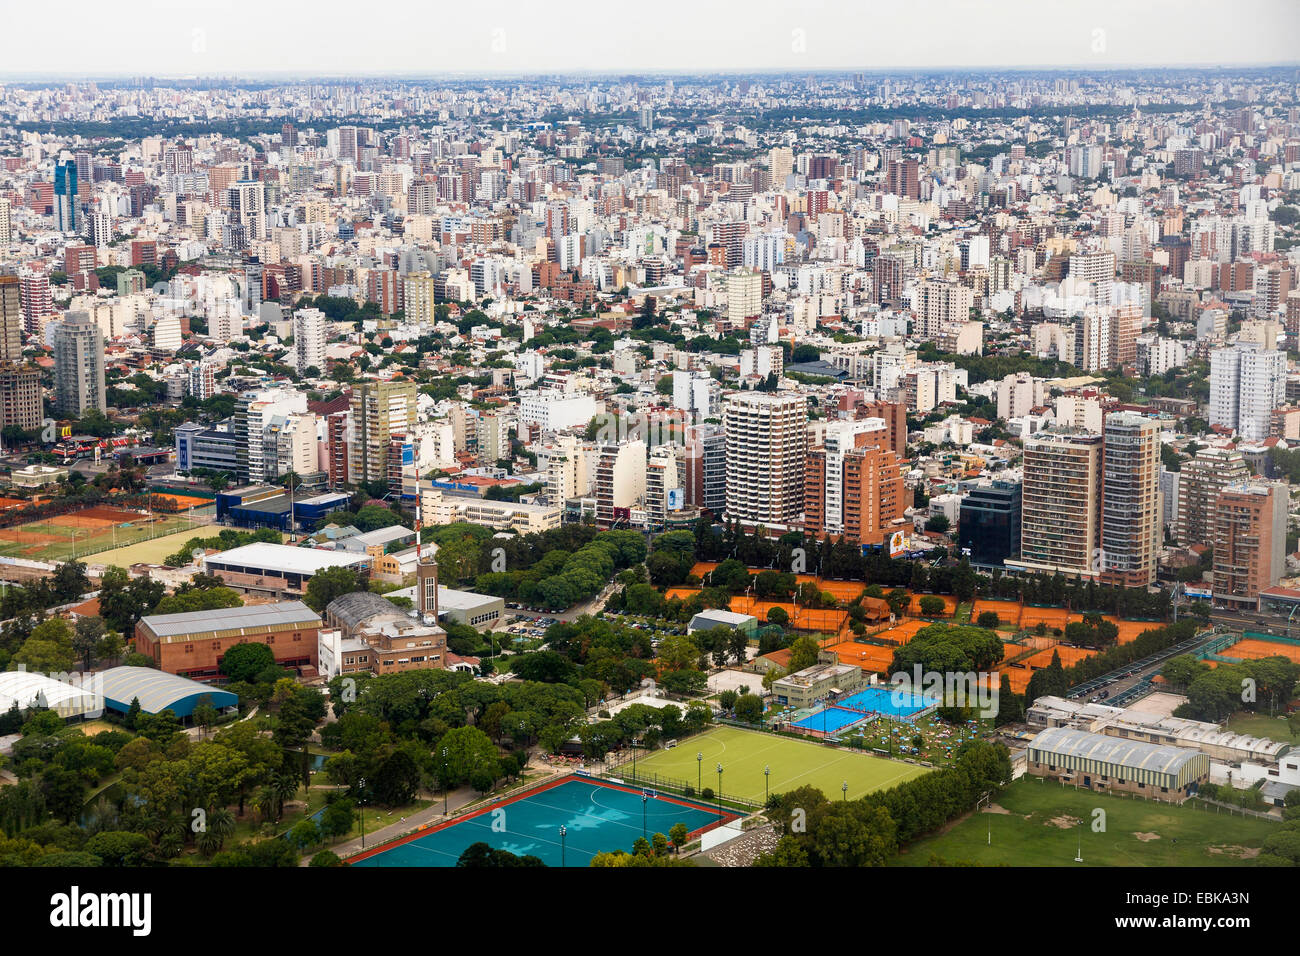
<point x="1026" y="834"/>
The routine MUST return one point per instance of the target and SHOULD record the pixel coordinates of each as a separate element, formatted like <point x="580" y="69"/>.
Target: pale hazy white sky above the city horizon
<point x="332" y="37"/>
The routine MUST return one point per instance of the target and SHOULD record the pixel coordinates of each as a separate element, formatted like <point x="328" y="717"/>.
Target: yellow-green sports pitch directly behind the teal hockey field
<point x="794" y="763"/>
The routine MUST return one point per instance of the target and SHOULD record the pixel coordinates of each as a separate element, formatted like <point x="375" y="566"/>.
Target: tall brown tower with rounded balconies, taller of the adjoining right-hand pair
<point x="1130" y="500"/>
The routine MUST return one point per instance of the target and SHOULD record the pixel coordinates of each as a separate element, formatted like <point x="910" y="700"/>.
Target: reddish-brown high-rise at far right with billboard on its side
<point x="1250" y="540"/>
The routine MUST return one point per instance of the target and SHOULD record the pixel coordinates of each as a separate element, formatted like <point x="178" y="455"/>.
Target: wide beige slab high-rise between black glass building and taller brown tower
<point x="1060" y="504"/>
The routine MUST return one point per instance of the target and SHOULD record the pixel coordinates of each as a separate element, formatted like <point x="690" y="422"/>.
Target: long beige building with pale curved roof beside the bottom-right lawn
<point x="1110" y="764"/>
